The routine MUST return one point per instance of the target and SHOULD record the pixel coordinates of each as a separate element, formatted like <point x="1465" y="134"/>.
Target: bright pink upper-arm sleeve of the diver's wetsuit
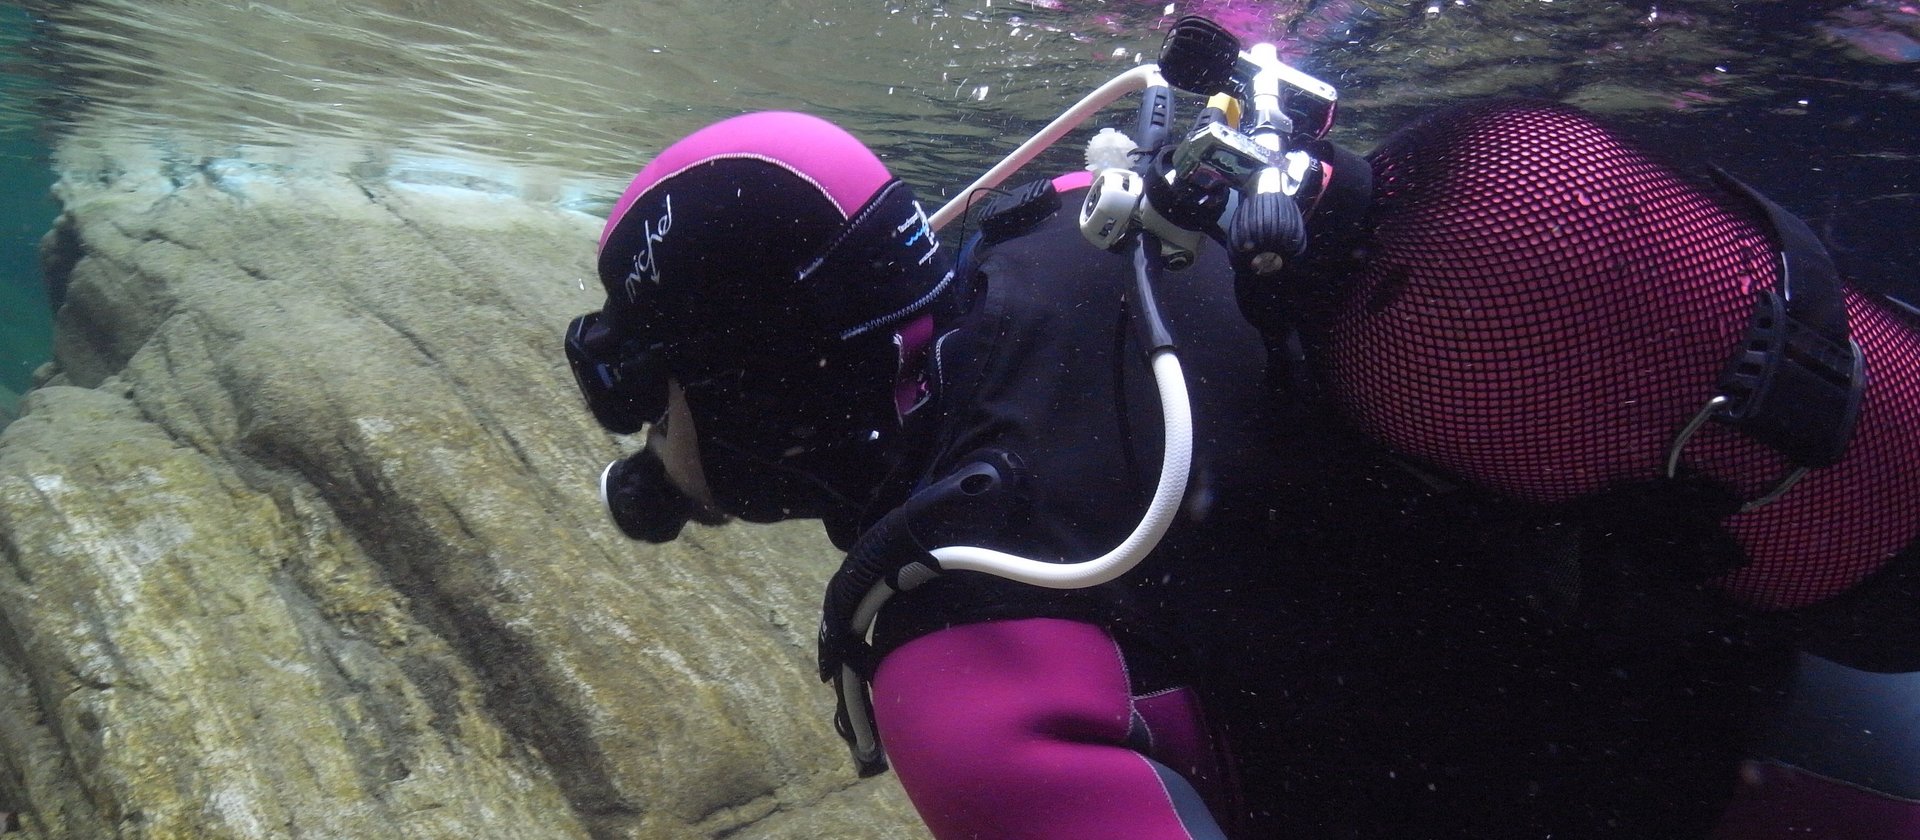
<point x="1028" y="730"/>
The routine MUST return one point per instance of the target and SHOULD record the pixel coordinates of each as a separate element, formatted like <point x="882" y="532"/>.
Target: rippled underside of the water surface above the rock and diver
<point x="558" y="103"/>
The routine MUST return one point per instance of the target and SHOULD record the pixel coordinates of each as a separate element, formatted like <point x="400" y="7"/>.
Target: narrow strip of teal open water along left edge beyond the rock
<point x="26" y="181"/>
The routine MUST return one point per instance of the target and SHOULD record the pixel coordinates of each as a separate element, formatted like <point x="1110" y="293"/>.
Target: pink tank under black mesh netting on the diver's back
<point x="1547" y="306"/>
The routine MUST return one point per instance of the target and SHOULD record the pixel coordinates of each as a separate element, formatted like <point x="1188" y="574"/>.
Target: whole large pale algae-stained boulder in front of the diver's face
<point x="304" y="542"/>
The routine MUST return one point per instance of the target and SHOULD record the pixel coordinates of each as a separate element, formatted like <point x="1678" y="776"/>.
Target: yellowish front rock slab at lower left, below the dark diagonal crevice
<point x="212" y="659"/>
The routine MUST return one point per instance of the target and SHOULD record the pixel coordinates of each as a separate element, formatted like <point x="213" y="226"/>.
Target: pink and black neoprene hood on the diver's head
<point x="769" y="264"/>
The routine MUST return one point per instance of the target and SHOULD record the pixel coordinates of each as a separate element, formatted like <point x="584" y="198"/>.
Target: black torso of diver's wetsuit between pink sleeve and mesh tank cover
<point x="1374" y="668"/>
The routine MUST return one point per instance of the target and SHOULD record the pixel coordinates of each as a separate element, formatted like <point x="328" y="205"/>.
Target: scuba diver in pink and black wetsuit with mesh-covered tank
<point x="1543" y="492"/>
